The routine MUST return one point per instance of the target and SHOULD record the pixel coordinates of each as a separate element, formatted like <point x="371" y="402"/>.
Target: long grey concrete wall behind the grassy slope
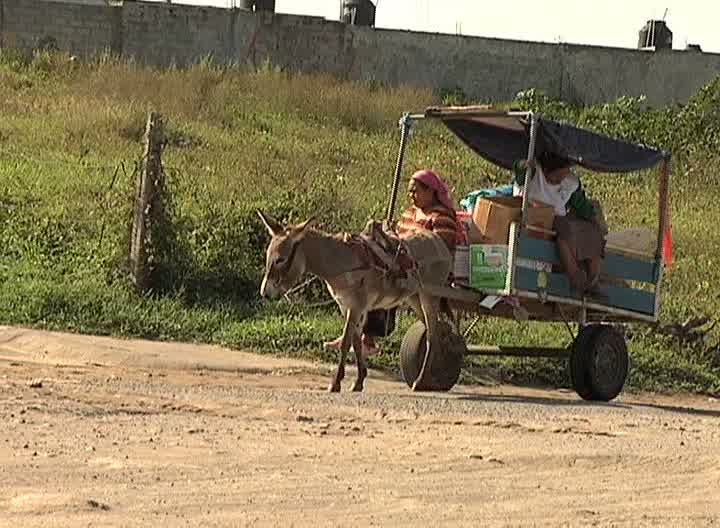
<point x="487" y="69"/>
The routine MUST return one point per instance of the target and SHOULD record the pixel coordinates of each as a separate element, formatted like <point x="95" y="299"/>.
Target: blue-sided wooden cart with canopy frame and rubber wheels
<point x="597" y="353"/>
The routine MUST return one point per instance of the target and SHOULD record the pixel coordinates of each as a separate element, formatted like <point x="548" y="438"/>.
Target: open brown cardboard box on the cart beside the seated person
<point x="493" y="216"/>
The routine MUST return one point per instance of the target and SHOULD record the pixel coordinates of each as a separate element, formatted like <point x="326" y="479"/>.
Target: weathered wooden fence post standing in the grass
<point x="146" y="196"/>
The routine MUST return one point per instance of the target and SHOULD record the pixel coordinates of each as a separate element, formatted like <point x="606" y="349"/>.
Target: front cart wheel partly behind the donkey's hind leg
<point x="445" y="369"/>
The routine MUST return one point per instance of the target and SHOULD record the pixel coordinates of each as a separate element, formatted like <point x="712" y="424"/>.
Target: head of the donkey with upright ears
<point x="284" y="260"/>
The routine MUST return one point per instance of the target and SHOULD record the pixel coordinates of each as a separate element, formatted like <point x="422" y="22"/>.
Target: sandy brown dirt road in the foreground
<point x="104" y="432"/>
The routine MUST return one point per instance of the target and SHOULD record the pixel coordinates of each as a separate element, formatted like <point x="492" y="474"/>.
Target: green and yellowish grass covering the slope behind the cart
<point x="70" y="140"/>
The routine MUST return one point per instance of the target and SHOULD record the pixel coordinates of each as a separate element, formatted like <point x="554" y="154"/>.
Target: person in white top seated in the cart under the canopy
<point x="578" y="221"/>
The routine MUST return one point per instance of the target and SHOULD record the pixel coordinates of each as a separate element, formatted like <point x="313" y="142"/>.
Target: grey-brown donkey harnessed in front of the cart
<point x="355" y="284"/>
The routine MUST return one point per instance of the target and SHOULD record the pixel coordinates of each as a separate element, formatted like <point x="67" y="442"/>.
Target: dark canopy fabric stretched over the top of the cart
<point x="502" y="140"/>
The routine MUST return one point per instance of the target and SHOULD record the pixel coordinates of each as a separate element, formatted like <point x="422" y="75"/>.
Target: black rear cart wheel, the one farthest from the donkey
<point x="599" y="363"/>
